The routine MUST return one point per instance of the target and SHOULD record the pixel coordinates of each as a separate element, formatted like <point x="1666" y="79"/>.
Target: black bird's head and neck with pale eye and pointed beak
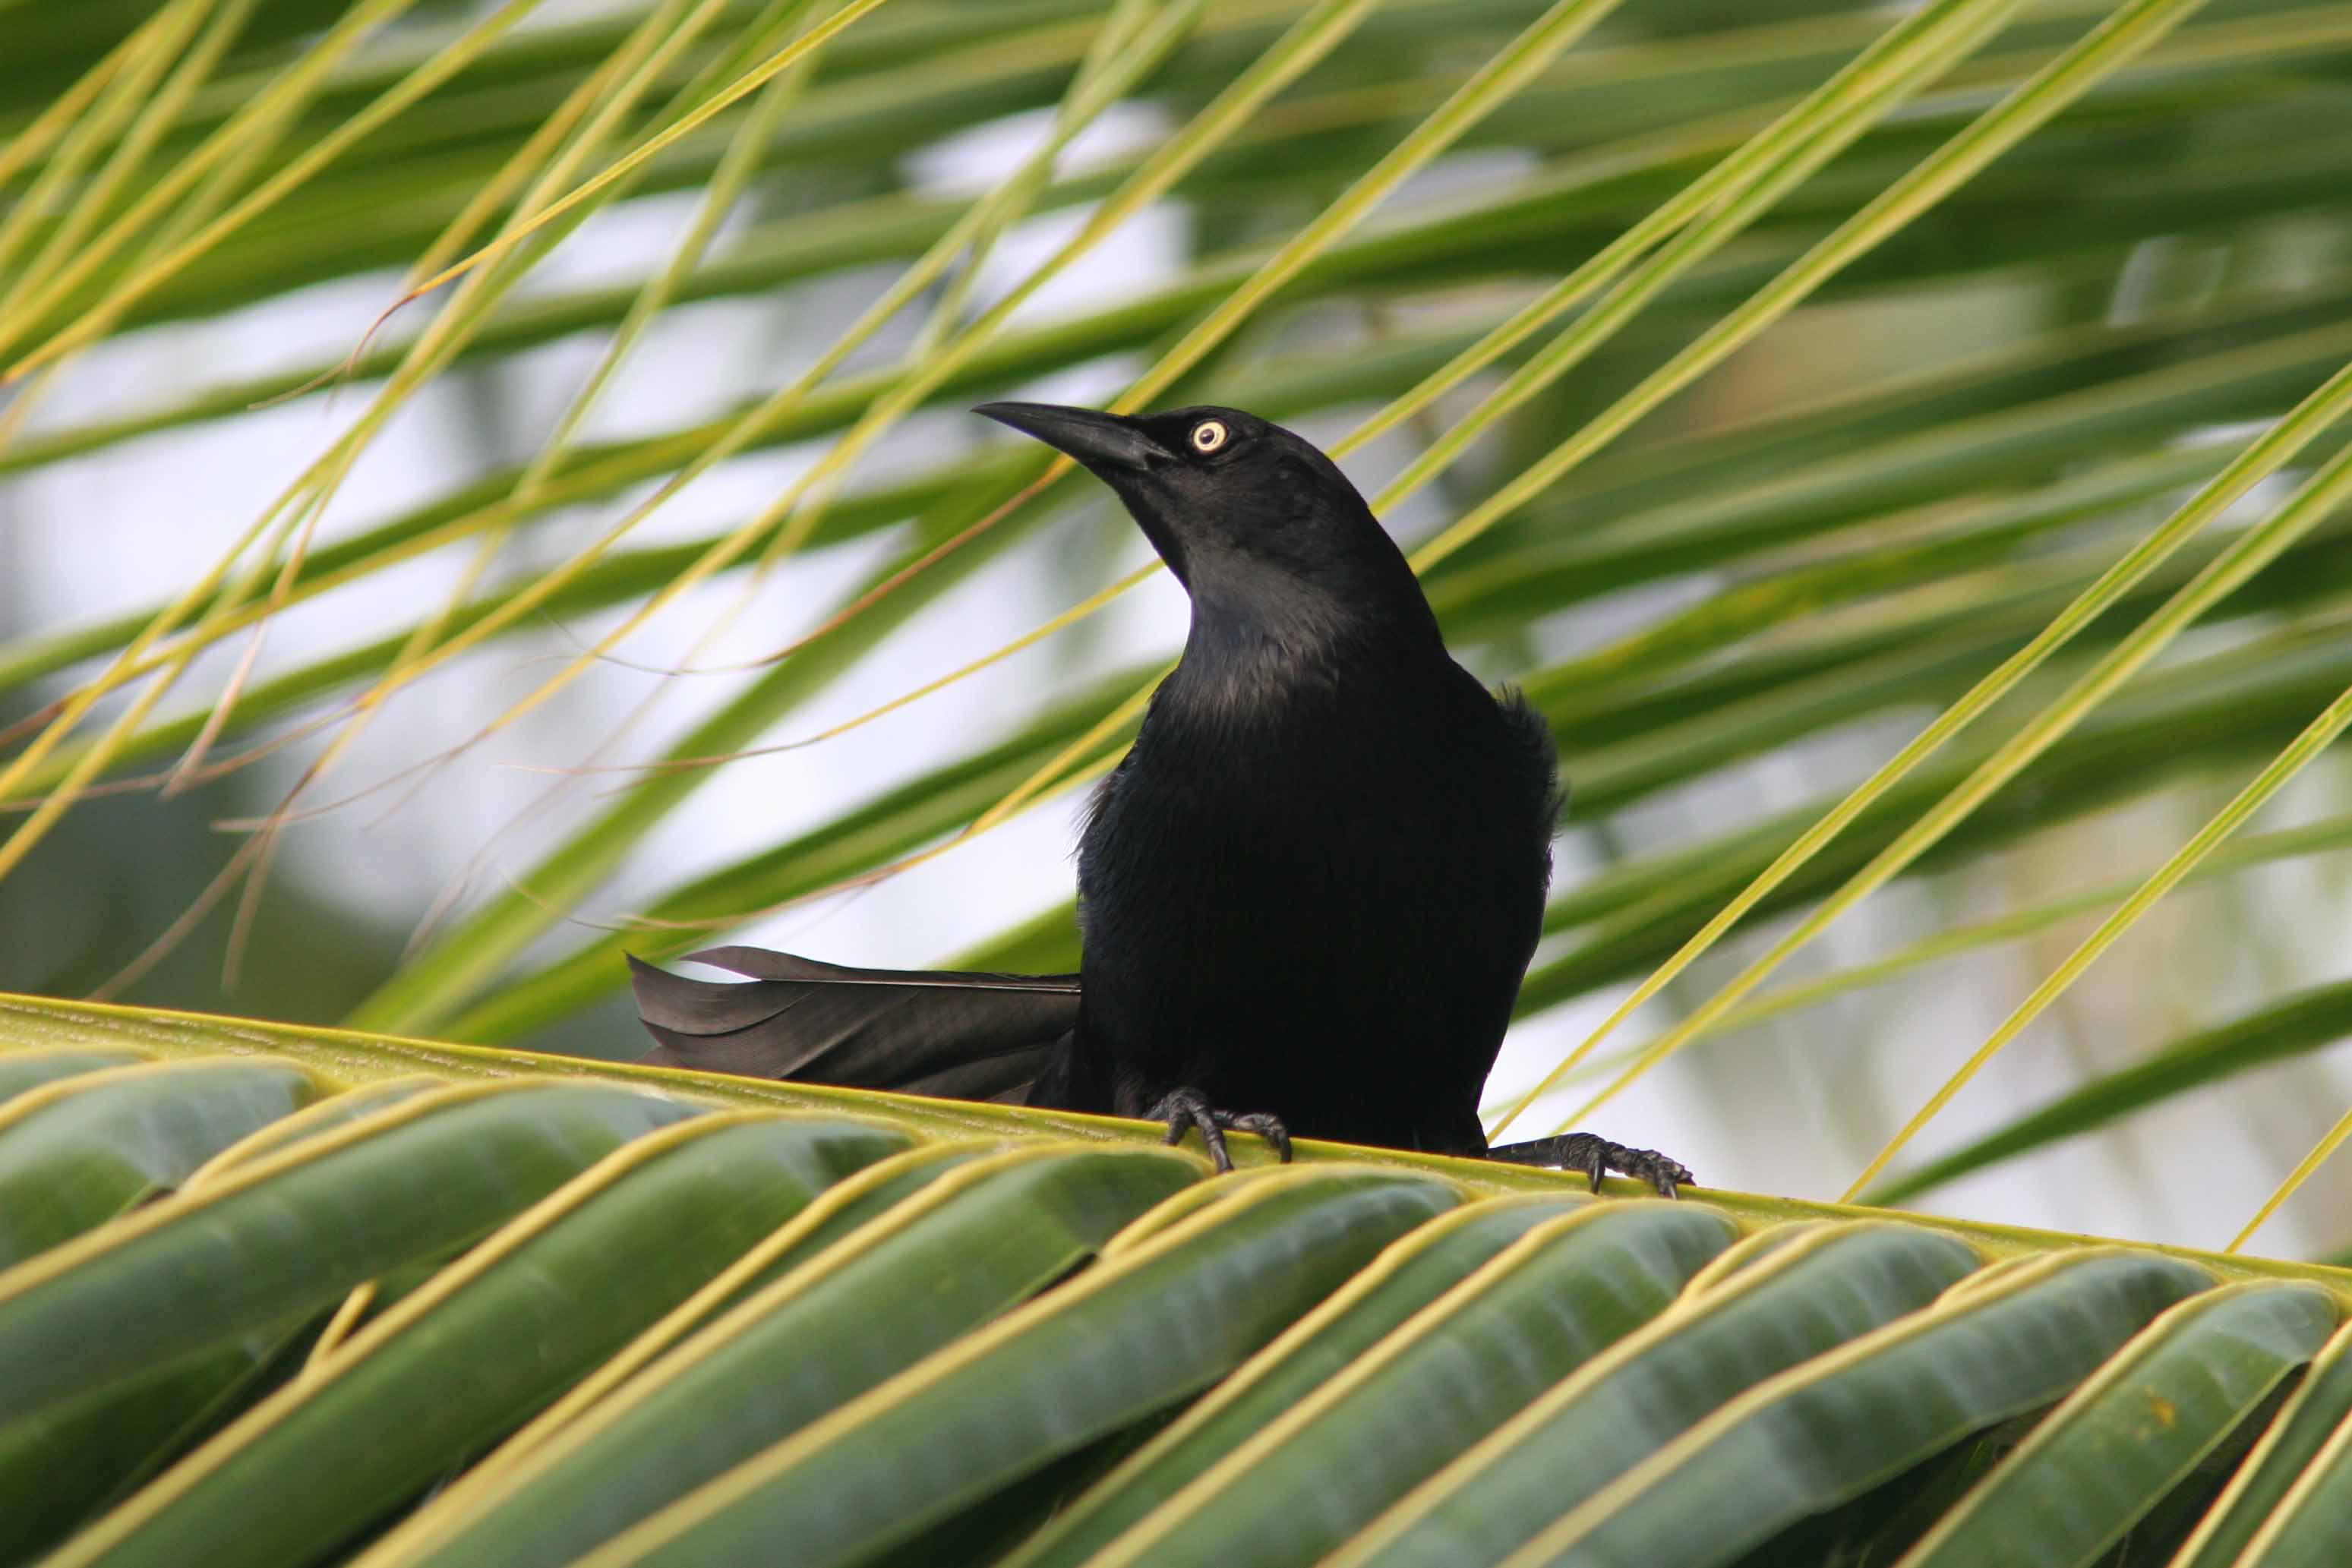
<point x="1255" y="521"/>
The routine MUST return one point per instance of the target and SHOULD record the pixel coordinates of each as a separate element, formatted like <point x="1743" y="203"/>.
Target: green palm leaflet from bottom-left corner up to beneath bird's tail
<point x="488" y="1341"/>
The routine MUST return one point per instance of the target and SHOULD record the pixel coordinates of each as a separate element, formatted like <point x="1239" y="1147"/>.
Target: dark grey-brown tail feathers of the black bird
<point x="914" y="1031"/>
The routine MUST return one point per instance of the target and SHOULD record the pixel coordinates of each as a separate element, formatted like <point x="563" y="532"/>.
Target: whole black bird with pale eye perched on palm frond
<point x="1309" y="892"/>
